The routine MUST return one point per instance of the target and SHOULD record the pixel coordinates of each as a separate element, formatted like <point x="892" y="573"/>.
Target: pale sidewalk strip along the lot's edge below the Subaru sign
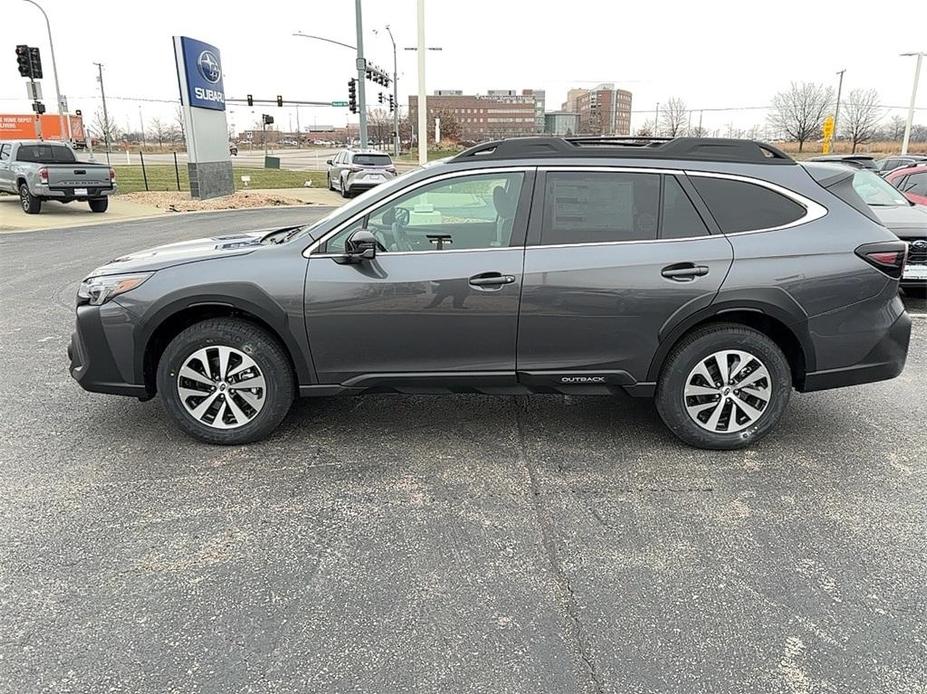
<point x="56" y="215"/>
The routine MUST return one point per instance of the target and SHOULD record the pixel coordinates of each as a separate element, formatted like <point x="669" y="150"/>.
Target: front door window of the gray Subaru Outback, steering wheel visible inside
<point x="461" y="213"/>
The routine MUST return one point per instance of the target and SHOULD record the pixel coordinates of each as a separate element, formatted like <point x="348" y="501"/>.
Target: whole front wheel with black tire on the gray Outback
<point x="265" y="406"/>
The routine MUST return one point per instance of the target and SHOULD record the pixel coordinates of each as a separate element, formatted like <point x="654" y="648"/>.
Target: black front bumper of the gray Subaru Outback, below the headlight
<point x="93" y="365"/>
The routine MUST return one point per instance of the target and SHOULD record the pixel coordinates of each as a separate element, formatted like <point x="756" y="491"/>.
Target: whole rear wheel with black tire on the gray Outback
<point x="746" y="414"/>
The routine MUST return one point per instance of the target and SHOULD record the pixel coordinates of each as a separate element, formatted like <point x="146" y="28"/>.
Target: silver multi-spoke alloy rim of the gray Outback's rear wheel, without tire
<point x="727" y="391"/>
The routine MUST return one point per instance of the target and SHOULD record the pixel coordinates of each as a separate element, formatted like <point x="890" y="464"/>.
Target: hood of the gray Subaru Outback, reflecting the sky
<point x="170" y="254"/>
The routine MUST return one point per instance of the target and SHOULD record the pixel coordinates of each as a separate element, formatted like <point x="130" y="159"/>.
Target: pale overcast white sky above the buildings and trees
<point x="711" y="54"/>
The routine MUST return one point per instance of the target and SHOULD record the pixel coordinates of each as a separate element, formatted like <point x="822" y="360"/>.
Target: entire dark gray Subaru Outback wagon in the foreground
<point x="711" y="275"/>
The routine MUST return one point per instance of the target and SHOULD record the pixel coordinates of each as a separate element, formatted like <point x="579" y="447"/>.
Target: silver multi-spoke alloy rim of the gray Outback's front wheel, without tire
<point x="221" y="387"/>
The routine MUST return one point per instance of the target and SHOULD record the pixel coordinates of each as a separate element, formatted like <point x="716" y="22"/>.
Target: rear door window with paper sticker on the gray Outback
<point x="599" y="207"/>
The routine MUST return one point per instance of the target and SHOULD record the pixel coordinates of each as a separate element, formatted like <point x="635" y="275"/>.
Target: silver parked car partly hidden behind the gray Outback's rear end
<point x="907" y="220"/>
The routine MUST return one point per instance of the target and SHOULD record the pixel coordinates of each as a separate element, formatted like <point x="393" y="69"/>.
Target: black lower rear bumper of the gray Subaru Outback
<point x="885" y="360"/>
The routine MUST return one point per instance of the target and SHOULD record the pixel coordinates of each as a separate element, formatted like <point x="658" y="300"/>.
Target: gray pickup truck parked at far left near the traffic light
<point x="39" y="171"/>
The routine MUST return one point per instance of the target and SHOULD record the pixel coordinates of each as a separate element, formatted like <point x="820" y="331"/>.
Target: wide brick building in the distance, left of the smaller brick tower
<point x="500" y="113"/>
